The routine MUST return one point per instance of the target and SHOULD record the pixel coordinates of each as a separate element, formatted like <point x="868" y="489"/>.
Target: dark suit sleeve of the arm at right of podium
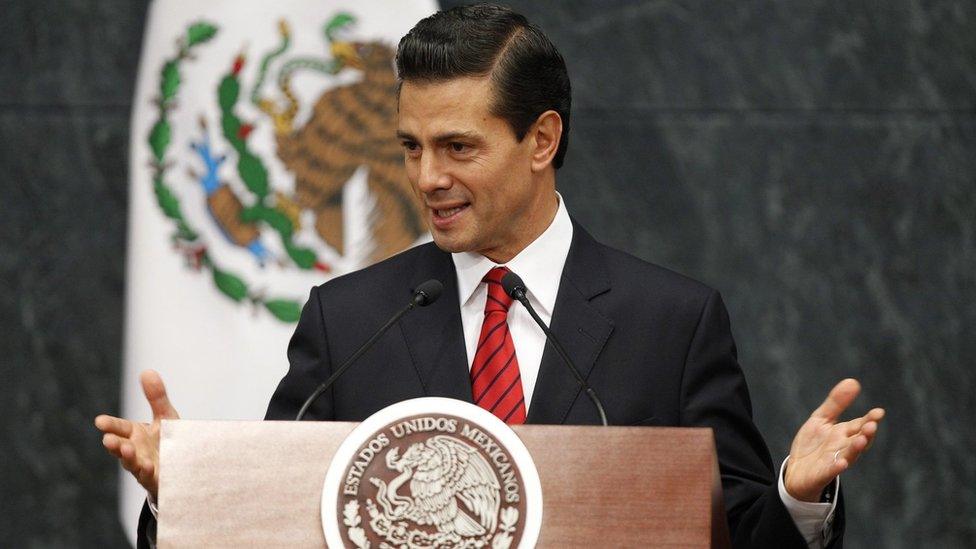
<point x="714" y="394"/>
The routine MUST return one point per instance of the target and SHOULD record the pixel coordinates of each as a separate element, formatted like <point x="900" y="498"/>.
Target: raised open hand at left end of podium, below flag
<point x="137" y="444"/>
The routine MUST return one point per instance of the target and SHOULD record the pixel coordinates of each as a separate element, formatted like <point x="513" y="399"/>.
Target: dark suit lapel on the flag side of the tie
<point x="434" y="335"/>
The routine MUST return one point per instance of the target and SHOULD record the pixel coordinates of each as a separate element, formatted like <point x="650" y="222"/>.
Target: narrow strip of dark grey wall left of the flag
<point x="67" y="71"/>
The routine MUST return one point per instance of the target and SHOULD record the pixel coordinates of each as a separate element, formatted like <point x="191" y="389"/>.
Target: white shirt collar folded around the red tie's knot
<point x="540" y="264"/>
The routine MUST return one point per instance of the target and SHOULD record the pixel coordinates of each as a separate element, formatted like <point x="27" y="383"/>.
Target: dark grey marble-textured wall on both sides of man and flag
<point x="814" y="160"/>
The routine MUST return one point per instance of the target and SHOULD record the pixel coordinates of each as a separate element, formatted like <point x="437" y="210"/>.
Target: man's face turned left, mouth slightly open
<point x="474" y="178"/>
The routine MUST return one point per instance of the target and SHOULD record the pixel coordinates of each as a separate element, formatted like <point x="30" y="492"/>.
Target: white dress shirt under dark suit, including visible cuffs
<point x="540" y="265"/>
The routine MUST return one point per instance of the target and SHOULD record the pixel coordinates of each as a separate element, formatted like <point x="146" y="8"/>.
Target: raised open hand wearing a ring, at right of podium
<point x="824" y="448"/>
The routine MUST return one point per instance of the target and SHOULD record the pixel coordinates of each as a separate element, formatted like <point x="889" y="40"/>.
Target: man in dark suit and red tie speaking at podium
<point x="484" y="126"/>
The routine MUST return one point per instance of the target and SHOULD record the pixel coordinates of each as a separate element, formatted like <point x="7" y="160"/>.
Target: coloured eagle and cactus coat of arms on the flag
<point x="350" y="128"/>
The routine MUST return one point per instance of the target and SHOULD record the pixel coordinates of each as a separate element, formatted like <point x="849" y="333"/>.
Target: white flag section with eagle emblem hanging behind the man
<point x="263" y="161"/>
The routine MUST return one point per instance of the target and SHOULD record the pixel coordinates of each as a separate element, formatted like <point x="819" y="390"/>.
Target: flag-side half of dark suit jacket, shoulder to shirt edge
<point x="343" y="313"/>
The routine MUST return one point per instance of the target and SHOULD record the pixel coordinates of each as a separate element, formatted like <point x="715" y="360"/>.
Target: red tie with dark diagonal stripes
<point x="496" y="383"/>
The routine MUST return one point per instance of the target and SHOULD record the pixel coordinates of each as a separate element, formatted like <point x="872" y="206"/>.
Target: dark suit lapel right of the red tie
<point x="581" y="328"/>
